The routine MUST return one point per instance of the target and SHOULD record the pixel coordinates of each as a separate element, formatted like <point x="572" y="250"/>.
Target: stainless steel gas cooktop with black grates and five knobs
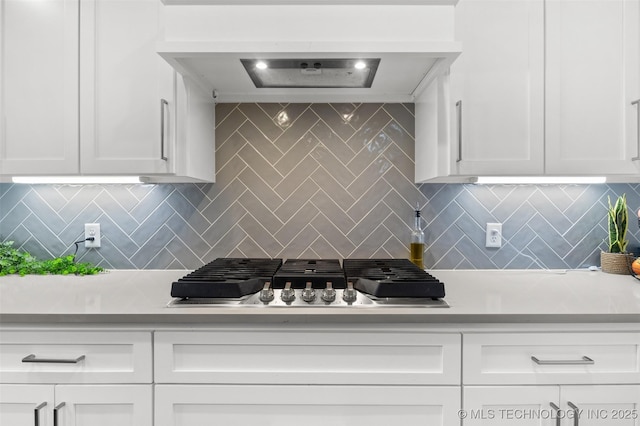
<point x="308" y="282"/>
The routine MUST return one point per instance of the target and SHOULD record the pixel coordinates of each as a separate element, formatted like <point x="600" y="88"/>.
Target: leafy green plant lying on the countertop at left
<point x="13" y="261"/>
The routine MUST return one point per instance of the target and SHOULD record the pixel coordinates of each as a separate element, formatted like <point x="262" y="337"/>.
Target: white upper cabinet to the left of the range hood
<point x="84" y="92"/>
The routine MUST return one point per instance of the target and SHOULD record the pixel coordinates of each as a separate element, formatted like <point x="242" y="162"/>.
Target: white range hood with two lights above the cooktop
<point x="319" y="53"/>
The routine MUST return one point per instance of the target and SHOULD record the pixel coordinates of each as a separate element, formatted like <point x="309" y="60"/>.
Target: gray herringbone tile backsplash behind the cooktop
<point x="312" y="181"/>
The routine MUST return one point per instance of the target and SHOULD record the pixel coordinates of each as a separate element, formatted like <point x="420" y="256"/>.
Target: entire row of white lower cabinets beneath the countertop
<point x="289" y="375"/>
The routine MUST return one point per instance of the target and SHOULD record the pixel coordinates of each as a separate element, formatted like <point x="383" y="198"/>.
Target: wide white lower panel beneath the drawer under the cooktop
<point x="205" y="405"/>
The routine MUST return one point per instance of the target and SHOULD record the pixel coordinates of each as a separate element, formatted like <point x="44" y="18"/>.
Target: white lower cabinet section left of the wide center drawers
<point x="80" y="378"/>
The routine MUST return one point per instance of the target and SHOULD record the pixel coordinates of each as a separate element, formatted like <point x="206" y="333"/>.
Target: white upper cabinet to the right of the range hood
<point x="543" y="87"/>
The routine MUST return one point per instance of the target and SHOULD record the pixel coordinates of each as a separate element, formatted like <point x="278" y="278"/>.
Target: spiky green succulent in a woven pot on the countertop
<point x="616" y="260"/>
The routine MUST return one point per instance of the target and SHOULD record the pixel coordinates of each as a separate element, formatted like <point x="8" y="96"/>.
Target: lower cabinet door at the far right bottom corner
<point x="602" y="405"/>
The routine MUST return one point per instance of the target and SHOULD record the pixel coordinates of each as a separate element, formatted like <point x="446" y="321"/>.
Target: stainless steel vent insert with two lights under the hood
<point x="312" y="73"/>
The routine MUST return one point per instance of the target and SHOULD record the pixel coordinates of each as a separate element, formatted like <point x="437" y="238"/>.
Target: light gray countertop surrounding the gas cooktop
<point x="486" y="296"/>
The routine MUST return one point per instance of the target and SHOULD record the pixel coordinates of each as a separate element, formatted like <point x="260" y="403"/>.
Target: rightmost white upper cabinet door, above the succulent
<point x="592" y="76"/>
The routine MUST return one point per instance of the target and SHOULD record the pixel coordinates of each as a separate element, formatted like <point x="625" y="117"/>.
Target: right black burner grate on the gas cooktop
<point x="392" y="278"/>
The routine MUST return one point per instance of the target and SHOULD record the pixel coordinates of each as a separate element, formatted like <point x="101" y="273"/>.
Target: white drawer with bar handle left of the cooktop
<point x="75" y="357"/>
